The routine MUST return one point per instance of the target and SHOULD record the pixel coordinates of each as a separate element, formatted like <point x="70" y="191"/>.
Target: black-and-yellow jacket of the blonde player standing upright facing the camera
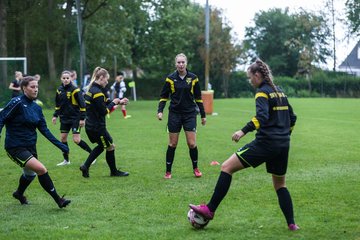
<point x="184" y="94"/>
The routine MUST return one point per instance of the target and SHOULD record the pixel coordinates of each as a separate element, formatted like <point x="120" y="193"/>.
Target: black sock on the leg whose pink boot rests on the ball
<point x="221" y="189"/>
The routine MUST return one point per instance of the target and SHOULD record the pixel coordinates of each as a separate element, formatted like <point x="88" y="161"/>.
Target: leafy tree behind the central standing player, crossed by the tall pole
<point x="180" y="28"/>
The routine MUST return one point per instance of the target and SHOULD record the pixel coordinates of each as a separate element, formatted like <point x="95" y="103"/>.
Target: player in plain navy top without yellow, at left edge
<point x="22" y="116"/>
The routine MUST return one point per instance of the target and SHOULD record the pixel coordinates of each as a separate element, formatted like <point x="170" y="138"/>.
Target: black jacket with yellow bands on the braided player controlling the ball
<point x="274" y="118"/>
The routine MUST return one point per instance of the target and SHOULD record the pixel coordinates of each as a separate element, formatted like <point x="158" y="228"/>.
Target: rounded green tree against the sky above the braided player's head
<point x="281" y="38"/>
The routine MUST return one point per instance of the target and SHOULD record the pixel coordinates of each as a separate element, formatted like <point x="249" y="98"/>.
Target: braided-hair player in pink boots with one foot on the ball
<point x="274" y="121"/>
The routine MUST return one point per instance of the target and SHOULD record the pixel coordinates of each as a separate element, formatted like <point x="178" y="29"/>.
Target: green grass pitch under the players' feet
<point x="323" y="178"/>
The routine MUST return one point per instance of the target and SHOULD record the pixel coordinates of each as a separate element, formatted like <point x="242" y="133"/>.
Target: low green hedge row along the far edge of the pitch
<point x="320" y="84"/>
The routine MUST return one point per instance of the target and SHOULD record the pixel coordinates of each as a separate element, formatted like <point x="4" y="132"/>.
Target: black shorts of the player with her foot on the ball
<point x="255" y="153"/>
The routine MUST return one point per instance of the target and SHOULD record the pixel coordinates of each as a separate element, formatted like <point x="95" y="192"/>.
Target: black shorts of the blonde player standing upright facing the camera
<point x="177" y="120"/>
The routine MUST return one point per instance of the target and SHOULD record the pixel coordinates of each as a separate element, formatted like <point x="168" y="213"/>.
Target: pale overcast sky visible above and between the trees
<point x="240" y="13"/>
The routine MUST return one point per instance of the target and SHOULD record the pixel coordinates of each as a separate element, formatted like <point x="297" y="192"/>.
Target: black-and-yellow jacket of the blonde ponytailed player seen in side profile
<point x="98" y="105"/>
